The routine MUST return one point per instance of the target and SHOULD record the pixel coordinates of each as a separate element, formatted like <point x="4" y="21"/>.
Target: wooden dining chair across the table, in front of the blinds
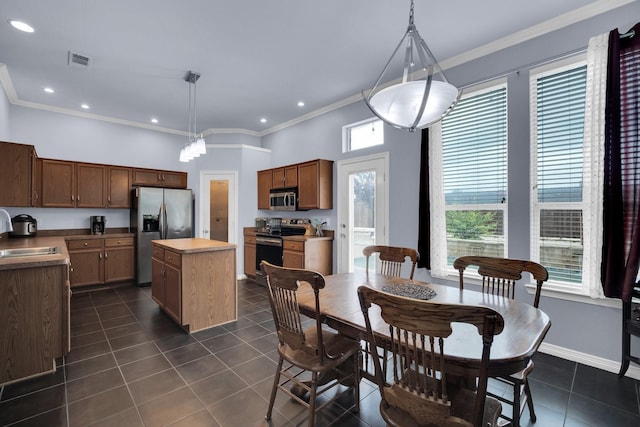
<point x="499" y="277"/>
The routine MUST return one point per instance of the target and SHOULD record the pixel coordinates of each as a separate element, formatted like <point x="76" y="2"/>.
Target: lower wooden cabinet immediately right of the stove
<point x="310" y="253"/>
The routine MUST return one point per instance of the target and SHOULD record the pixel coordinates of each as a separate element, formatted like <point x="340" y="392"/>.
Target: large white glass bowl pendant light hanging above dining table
<point x="424" y="95"/>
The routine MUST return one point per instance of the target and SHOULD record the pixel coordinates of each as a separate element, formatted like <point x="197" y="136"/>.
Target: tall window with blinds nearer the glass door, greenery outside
<point x="474" y="169"/>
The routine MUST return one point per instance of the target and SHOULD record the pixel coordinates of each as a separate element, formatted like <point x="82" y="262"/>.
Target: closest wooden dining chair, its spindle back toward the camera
<point x="421" y="392"/>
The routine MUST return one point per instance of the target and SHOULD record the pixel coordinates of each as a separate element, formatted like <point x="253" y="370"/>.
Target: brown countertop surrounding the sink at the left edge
<point x="16" y="262"/>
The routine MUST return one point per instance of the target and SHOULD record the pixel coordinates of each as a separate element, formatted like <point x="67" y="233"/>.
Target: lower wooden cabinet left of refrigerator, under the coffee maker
<point x="98" y="260"/>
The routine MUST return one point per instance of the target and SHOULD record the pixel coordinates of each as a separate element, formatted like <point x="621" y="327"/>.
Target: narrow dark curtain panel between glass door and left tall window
<point x="424" y="217"/>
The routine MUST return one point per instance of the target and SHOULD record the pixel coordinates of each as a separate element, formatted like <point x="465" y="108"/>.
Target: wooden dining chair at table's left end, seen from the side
<point x="331" y="358"/>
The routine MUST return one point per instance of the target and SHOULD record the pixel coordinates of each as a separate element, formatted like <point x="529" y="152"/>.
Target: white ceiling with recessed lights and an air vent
<point x="257" y="58"/>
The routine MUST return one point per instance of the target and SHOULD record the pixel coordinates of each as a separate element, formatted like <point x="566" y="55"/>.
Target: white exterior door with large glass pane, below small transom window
<point x="363" y="208"/>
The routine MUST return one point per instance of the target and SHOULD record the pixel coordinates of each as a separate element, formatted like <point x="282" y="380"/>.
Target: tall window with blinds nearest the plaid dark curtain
<point x="557" y="120"/>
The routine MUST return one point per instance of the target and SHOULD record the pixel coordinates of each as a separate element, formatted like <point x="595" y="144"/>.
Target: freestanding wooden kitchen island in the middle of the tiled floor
<point x="194" y="281"/>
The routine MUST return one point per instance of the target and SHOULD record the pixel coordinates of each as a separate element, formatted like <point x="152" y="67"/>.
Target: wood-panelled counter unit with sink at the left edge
<point x="34" y="306"/>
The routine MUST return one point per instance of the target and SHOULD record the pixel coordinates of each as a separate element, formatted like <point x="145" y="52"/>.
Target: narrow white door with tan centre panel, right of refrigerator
<point x="210" y="182"/>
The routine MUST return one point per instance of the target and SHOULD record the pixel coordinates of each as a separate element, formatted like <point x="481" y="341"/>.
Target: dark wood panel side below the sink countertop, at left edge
<point x="34" y="320"/>
